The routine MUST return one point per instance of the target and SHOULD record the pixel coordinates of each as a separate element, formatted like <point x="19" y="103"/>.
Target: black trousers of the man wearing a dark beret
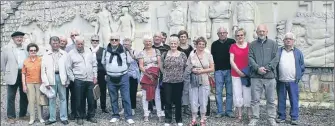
<point x="11" y="93"/>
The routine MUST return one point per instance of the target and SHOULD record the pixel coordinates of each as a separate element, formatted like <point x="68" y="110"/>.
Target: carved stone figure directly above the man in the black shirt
<point x="220" y="13"/>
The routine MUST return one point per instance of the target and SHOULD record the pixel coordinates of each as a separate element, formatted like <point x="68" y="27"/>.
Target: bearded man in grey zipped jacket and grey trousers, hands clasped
<point x="263" y="60"/>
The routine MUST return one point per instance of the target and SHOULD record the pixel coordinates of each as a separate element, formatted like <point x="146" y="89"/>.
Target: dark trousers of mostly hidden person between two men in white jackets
<point x="69" y="89"/>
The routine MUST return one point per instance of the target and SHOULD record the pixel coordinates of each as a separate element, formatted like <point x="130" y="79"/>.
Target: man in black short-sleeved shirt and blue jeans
<point x="220" y="52"/>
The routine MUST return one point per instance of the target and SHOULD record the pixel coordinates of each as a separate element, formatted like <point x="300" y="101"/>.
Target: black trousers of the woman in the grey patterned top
<point x="173" y="93"/>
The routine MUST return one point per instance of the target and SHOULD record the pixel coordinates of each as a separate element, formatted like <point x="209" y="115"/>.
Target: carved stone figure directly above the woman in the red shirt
<point x="246" y="17"/>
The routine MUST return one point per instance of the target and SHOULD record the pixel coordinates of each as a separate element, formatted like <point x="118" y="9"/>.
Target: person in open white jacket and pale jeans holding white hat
<point x="53" y="72"/>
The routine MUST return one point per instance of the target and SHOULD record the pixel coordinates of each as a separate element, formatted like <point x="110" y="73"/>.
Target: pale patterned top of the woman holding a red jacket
<point x="149" y="61"/>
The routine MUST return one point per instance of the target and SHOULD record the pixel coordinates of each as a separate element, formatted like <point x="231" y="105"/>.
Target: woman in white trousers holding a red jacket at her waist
<point x="150" y="58"/>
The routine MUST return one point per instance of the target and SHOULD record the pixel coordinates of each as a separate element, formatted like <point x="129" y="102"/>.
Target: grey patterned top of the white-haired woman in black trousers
<point x="174" y="67"/>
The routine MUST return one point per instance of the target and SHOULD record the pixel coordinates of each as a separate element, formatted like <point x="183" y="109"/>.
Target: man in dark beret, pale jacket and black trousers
<point x="12" y="58"/>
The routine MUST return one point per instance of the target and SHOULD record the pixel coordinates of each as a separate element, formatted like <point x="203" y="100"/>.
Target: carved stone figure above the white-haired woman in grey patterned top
<point x="177" y="19"/>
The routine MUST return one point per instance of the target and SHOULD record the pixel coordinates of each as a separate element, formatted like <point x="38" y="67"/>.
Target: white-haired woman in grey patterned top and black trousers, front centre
<point x="173" y="67"/>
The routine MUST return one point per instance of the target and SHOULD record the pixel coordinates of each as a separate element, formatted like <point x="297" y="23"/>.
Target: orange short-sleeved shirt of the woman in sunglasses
<point x="32" y="70"/>
